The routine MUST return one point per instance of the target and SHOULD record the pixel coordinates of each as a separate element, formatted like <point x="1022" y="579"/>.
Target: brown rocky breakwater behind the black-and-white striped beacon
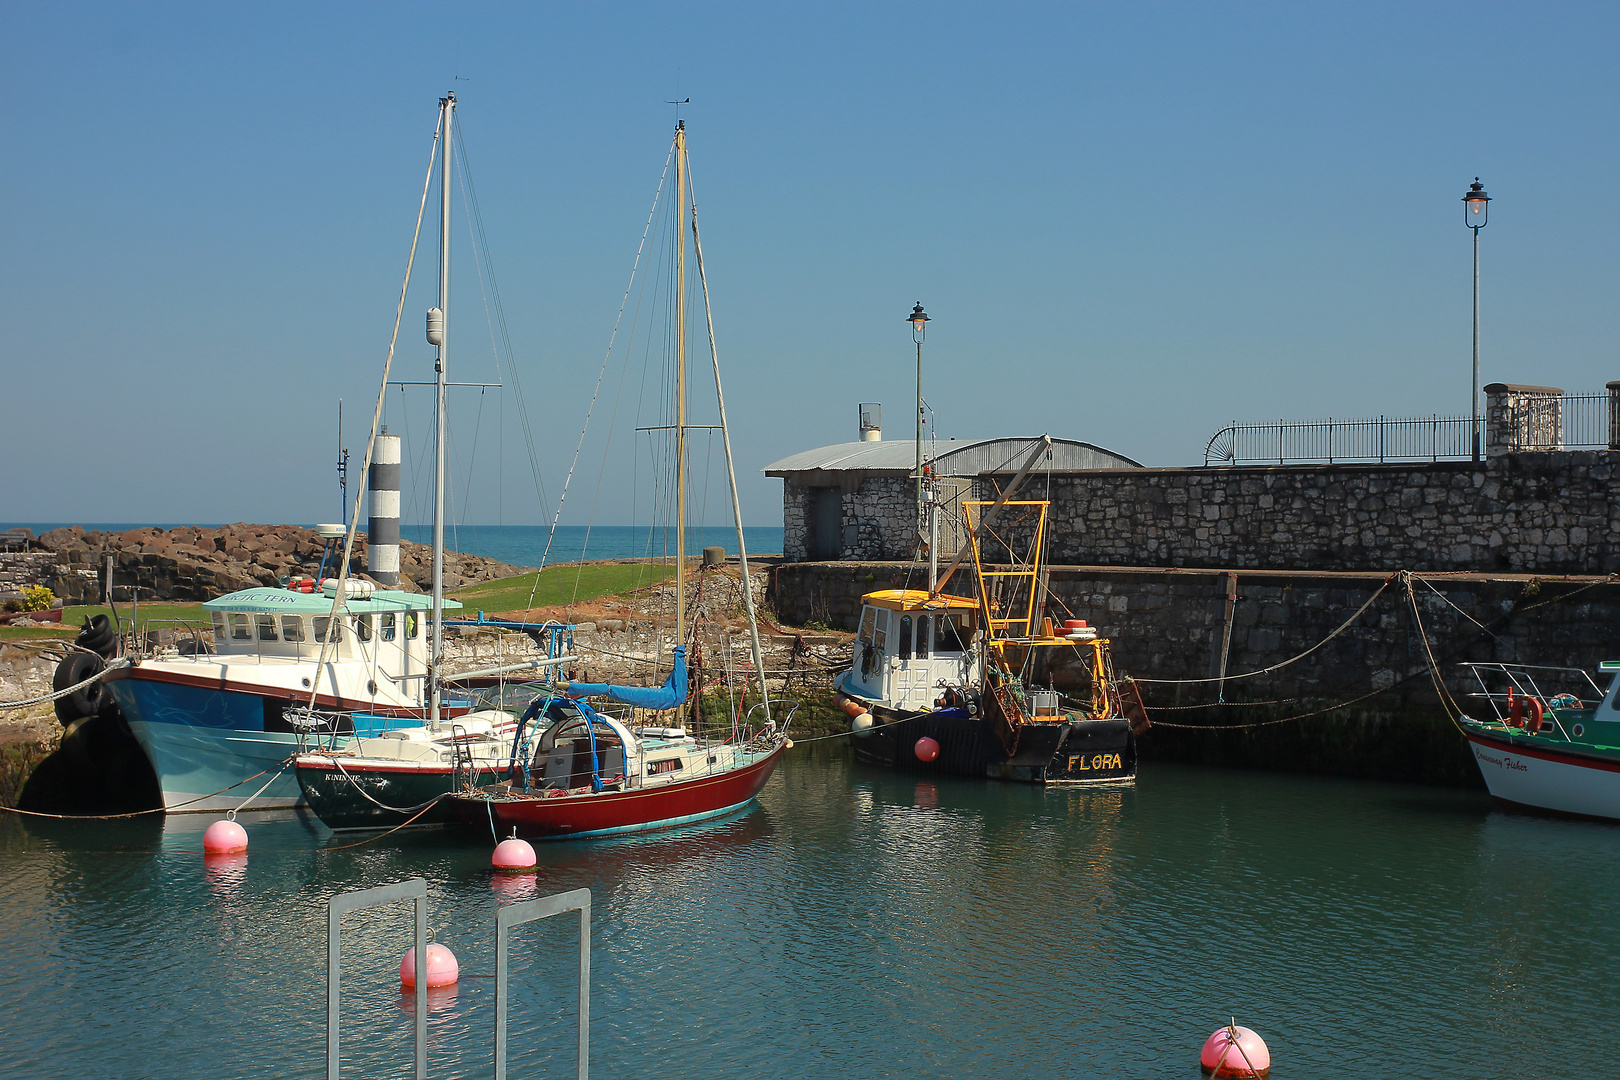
<point x="198" y="564"/>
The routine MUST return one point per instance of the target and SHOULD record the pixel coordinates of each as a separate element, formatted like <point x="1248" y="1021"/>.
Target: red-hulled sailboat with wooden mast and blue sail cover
<point x="581" y="772"/>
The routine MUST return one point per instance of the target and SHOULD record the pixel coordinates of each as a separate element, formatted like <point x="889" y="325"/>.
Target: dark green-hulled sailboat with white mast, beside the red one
<point x="396" y="772"/>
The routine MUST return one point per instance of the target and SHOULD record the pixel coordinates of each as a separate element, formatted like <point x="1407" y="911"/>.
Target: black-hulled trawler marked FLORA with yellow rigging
<point x="987" y="687"/>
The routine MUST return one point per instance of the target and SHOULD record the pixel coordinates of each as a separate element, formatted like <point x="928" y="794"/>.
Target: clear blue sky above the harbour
<point x="1130" y="223"/>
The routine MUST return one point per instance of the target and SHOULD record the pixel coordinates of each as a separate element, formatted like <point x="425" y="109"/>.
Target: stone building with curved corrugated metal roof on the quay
<point x="859" y="500"/>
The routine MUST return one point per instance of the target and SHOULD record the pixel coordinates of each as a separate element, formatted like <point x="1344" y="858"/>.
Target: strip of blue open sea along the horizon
<point x="526" y="545"/>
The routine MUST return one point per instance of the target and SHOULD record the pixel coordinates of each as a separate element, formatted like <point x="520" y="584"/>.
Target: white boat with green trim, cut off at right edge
<point x="1546" y="739"/>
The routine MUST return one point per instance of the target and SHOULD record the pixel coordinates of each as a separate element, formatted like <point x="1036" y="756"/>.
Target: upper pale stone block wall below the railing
<point x="1525" y="512"/>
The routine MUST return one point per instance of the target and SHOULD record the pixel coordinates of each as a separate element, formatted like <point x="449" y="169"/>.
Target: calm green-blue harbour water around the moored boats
<point x="858" y="924"/>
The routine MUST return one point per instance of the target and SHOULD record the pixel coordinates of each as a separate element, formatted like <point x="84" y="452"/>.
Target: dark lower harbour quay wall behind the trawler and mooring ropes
<point x="1379" y="712"/>
